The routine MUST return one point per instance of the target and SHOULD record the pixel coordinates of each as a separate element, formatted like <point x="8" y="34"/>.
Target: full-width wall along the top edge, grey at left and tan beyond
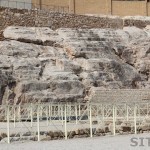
<point x="105" y="7"/>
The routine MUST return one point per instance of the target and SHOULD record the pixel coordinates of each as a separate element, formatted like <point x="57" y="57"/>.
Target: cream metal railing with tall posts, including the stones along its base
<point x="64" y="121"/>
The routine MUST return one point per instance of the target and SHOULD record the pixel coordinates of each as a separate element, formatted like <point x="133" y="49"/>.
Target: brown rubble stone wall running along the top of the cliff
<point x="57" y="20"/>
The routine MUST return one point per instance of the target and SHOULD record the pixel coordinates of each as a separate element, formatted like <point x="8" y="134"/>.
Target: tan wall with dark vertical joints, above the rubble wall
<point x="107" y="7"/>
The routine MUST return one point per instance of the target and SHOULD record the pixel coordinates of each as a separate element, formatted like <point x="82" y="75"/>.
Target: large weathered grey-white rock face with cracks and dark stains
<point x="39" y="64"/>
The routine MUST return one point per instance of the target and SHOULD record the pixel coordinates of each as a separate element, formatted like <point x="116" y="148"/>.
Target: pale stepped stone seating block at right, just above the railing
<point x="119" y="95"/>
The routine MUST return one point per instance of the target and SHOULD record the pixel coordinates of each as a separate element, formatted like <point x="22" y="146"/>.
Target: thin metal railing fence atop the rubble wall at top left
<point x="28" y="5"/>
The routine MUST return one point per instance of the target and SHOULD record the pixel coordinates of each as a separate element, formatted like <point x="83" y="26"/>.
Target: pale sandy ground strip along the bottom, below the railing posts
<point x="121" y="142"/>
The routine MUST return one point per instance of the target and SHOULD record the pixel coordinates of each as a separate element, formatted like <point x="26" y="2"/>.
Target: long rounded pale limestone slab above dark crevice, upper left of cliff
<point x="44" y="36"/>
